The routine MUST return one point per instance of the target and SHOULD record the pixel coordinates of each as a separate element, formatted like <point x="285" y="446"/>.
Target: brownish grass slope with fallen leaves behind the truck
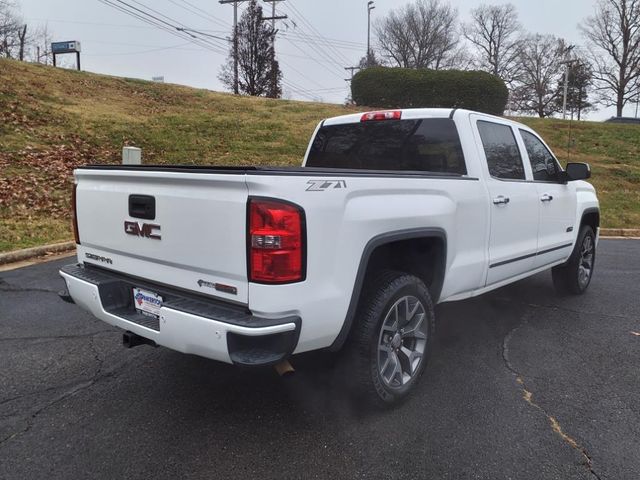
<point x="52" y="120"/>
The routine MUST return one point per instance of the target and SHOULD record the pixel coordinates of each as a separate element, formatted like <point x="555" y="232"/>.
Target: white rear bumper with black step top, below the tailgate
<point x="187" y="323"/>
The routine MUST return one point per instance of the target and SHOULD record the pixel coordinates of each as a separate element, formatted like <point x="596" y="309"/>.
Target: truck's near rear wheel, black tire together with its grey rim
<point x="372" y="343"/>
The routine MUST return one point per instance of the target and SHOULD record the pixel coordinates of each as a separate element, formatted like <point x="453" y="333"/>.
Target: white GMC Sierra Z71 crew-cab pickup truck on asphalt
<point x="391" y="213"/>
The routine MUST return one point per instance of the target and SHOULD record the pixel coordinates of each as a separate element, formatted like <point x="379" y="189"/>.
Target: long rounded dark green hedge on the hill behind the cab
<point x="409" y="88"/>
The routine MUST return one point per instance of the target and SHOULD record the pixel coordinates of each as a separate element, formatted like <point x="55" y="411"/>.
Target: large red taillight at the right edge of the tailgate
<point x="276" y="236"/>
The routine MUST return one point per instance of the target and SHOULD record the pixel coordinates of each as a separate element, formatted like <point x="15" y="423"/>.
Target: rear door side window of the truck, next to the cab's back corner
<point x="501" y="150"/>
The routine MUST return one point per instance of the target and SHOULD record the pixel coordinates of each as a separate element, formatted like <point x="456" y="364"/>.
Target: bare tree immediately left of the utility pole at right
<point x="540" y="59"/>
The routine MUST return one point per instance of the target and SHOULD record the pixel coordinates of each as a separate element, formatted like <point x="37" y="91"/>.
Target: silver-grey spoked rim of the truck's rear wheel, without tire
<point x="402" y="342"/>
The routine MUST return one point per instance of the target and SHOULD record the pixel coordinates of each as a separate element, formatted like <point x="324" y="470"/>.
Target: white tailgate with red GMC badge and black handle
<point x="193" y="236"/>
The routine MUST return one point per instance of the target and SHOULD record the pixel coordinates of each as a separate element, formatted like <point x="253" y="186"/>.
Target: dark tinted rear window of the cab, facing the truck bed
<point x="422" y="145"/>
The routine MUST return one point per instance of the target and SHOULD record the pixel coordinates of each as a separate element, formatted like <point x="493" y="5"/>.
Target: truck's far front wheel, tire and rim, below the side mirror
<point x="570" y="278"/>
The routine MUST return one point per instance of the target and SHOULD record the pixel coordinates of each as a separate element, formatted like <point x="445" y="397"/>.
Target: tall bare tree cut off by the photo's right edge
<point x="614" y="34"/>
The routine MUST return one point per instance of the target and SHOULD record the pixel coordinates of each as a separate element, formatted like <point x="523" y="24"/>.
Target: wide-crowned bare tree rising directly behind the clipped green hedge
<point x="419" y="35"/>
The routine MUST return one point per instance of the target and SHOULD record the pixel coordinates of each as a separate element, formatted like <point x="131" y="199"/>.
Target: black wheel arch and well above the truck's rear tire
<point x="435" y="242"/>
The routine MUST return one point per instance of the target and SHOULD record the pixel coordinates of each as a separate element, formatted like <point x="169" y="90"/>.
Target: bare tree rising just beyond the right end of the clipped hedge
<point x="494" y="31"/>
